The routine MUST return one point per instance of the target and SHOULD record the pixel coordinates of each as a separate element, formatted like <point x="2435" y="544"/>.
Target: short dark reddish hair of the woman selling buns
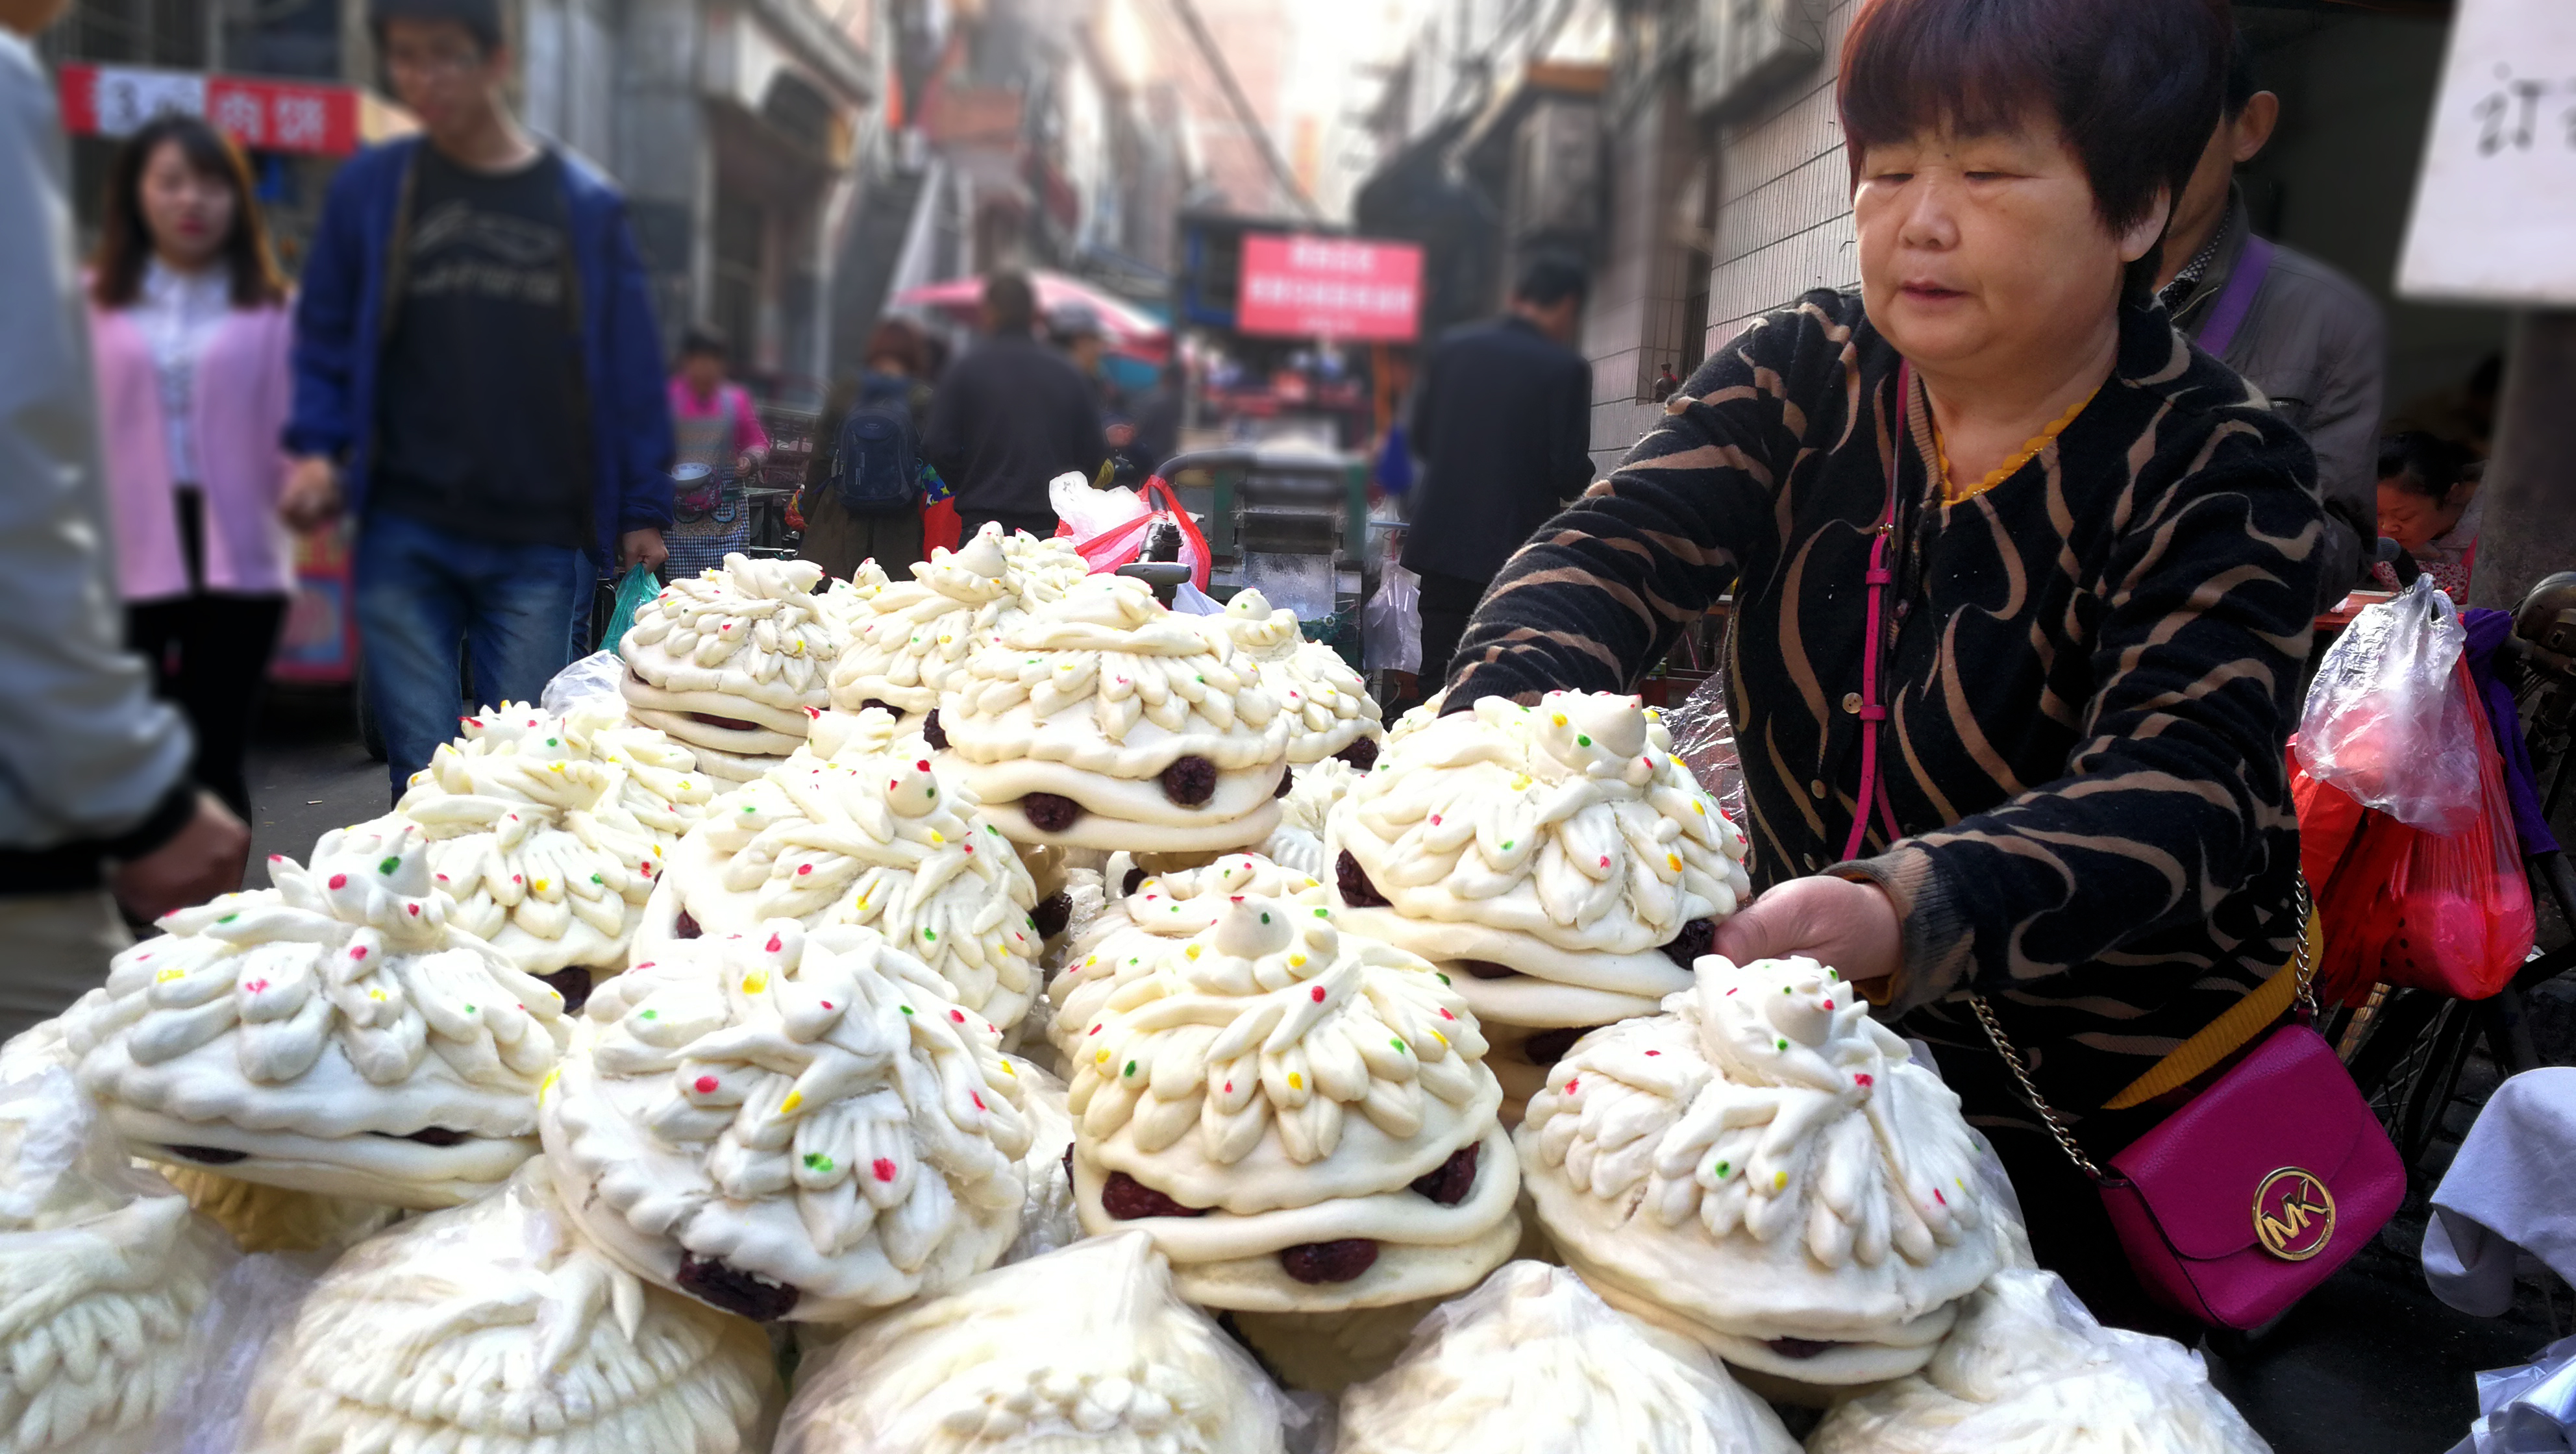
<point x="2134" y="86"/>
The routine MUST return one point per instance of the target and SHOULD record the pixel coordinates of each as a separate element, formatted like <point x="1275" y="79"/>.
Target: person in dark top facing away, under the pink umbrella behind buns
<point x="1011" y="416"/>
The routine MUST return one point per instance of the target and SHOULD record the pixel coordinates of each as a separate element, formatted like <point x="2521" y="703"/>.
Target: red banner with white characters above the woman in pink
<point x="259" y="115"/>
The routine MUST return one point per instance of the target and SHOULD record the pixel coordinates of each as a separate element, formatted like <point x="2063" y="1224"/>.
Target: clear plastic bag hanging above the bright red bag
<point x="2387" y="719"/>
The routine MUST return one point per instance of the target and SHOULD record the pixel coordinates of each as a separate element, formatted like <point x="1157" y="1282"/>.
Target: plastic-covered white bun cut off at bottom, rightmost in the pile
<point x="2031" y="1373"/>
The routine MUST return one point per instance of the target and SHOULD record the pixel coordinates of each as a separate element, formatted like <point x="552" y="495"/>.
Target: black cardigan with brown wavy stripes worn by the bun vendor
<point x="2090" y="670"/>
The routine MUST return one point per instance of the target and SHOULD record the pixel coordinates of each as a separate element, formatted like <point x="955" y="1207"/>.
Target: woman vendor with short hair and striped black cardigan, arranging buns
<point x="2098" y="583"/>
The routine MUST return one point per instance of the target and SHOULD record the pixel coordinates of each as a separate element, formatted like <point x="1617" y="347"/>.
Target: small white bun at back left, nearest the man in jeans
<point x="733" y="663"/>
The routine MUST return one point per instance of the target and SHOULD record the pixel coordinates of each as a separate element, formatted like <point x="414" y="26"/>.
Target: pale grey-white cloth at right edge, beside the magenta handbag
<point x="2513" y="1188"/>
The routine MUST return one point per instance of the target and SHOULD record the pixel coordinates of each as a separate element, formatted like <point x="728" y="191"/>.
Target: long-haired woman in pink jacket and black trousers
<point x="189" y="333"/>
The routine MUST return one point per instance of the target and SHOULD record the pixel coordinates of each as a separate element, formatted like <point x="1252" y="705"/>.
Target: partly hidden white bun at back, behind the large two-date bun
<point x="911" y="640"/>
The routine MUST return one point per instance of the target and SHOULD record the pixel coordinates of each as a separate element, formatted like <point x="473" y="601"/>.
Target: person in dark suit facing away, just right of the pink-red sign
<point x="1503" y="426"/>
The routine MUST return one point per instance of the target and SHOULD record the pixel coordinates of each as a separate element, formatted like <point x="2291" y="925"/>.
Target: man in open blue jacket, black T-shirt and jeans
<point x="478" y="382"/>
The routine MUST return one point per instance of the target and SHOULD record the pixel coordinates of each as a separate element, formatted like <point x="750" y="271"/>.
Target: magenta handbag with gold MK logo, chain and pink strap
<point x="2263" y="1183"/>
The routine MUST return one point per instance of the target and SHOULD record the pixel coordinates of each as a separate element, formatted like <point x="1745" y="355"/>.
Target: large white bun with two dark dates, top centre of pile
<point x="1106" y="722"/>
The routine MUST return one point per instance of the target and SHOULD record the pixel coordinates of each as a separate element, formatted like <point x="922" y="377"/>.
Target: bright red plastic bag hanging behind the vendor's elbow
<point x="2436" y="912"/>
